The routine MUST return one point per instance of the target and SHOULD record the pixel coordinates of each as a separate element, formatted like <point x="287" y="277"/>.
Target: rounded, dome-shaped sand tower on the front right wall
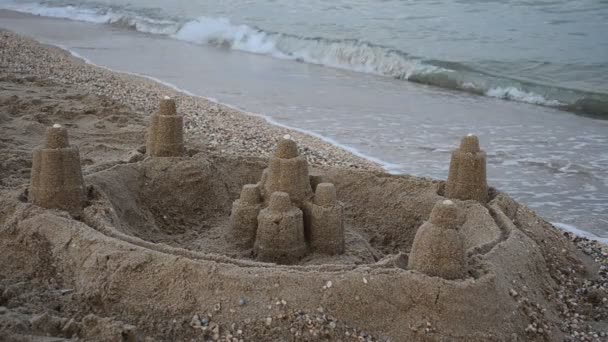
<point x="438" y="249"/>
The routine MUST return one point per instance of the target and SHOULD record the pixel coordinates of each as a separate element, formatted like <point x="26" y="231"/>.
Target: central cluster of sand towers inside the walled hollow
<point x="281" y="217"/>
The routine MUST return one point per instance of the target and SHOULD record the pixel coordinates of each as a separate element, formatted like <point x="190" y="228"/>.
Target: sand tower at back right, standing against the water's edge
<point x="467" y="175"/>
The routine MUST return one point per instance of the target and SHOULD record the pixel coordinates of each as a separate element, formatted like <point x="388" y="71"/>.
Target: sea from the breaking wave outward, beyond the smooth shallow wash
<point x="551" y="53"/>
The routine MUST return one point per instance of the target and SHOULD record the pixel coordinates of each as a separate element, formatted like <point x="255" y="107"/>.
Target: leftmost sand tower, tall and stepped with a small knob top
<point x="57" y="181"/>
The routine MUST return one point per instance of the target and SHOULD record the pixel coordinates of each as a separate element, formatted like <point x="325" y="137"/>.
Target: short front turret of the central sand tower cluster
<point x="280" y="234"/>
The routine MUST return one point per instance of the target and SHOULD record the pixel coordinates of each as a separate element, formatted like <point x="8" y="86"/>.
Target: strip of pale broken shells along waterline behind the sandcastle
<point x="223" y="128"/>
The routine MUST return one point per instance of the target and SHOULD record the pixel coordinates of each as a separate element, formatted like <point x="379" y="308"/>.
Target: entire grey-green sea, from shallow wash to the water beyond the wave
<point x="398" y="81"/>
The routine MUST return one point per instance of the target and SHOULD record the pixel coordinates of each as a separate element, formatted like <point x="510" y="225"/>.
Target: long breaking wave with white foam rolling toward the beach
<point x="350" y="54"/>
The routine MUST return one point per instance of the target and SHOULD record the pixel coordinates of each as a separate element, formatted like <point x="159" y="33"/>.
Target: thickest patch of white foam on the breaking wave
<point x="350" y="54"/>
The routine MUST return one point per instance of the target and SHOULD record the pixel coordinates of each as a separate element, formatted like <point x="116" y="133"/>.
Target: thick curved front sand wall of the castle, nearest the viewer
<point x="121" y="277"/>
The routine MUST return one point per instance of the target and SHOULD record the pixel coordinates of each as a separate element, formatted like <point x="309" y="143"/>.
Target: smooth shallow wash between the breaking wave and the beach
<point x="553" y="161"/>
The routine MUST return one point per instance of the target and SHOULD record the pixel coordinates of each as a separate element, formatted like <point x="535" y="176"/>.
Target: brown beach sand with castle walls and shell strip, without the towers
<point x="152" y="259"/>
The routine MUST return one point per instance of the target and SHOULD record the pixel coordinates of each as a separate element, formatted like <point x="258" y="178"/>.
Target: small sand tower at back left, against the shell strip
<point x="166" y="132"/>
